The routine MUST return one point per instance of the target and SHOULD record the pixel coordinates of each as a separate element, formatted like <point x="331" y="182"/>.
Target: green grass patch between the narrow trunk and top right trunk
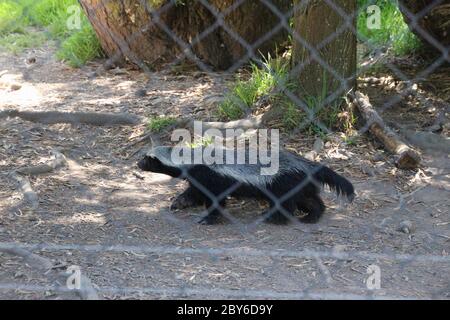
<point x="393" y="32"/>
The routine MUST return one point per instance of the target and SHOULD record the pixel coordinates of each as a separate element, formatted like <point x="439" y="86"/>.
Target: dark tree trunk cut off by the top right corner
<point x="434" y="21"/>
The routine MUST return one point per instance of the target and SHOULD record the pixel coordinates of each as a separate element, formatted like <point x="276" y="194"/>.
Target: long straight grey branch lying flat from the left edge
<point x="91" y="118"/>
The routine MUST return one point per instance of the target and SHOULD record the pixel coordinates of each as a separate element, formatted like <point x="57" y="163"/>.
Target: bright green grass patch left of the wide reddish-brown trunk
<point x="78" y="45"/>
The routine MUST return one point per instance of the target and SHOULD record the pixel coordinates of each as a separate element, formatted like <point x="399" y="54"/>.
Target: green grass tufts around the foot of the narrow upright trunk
<point x="273" y="74"/>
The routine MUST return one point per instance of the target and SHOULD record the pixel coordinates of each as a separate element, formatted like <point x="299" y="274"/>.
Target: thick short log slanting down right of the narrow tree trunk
<point x="407" y="158"/>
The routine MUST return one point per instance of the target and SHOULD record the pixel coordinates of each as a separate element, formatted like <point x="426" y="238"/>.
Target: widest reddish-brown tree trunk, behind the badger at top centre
<point x="156" y="32"/>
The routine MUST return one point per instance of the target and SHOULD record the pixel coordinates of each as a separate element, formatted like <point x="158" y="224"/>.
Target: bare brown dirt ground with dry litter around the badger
<point x="99" y="213"/>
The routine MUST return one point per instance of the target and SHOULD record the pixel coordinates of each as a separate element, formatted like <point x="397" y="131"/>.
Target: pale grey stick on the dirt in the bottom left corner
<point x="44" y="265"/>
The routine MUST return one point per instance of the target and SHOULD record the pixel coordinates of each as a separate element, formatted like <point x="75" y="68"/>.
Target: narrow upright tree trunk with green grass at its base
<point x="315" y="22"/>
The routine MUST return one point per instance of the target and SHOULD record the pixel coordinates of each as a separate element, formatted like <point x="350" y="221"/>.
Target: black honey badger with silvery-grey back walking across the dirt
<point x="295" y="186"/>
